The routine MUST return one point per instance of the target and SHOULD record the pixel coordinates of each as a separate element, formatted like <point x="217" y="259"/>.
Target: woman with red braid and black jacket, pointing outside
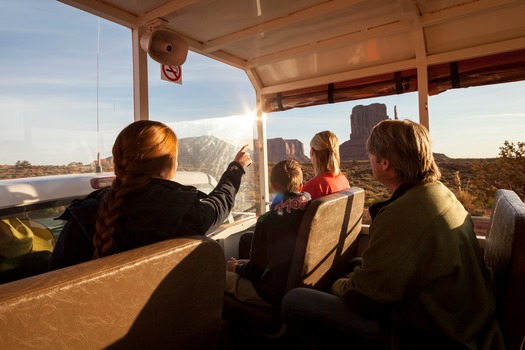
<point x="143" y="206"/>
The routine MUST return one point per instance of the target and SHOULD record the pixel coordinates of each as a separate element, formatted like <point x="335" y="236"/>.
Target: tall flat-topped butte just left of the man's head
<point x="362" y="120"/>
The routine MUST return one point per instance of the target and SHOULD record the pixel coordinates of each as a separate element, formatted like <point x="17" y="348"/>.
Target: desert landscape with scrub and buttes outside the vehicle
<point x="473" y="181"/>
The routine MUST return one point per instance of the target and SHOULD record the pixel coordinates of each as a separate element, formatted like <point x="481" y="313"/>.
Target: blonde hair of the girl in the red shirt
<point x="325" y="153"/>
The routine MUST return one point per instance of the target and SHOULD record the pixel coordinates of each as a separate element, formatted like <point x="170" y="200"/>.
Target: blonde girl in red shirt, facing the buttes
<point x="324" y="152"/>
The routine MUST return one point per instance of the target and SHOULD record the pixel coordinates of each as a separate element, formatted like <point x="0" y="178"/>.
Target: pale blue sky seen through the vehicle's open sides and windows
<point x="48" y="94"/>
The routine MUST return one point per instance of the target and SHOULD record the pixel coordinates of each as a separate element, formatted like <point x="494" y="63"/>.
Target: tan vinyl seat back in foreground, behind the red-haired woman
<point x="165" y="295"/>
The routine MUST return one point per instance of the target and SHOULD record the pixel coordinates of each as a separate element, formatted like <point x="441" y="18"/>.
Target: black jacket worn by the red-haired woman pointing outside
<point x="160" y="210"/>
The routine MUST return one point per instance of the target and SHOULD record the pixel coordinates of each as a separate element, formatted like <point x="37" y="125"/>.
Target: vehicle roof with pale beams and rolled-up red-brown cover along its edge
<point x="309" y="52"/>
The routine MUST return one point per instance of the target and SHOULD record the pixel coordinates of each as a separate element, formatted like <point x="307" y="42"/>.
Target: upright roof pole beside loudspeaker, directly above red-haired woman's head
<point x="140" y="76"/>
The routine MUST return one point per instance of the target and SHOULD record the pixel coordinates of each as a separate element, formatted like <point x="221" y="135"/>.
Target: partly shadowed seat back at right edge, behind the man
<point x="505" y="254"/>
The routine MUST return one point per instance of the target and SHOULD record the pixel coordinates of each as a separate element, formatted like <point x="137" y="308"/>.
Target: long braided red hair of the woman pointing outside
<point x="142" y="151"/>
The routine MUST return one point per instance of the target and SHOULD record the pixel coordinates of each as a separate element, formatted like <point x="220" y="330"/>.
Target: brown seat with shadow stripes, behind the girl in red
<point x="323" y="251"/>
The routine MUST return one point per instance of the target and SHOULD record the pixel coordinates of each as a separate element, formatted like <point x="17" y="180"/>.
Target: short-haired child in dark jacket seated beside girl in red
<point x="262" y="278"/>
